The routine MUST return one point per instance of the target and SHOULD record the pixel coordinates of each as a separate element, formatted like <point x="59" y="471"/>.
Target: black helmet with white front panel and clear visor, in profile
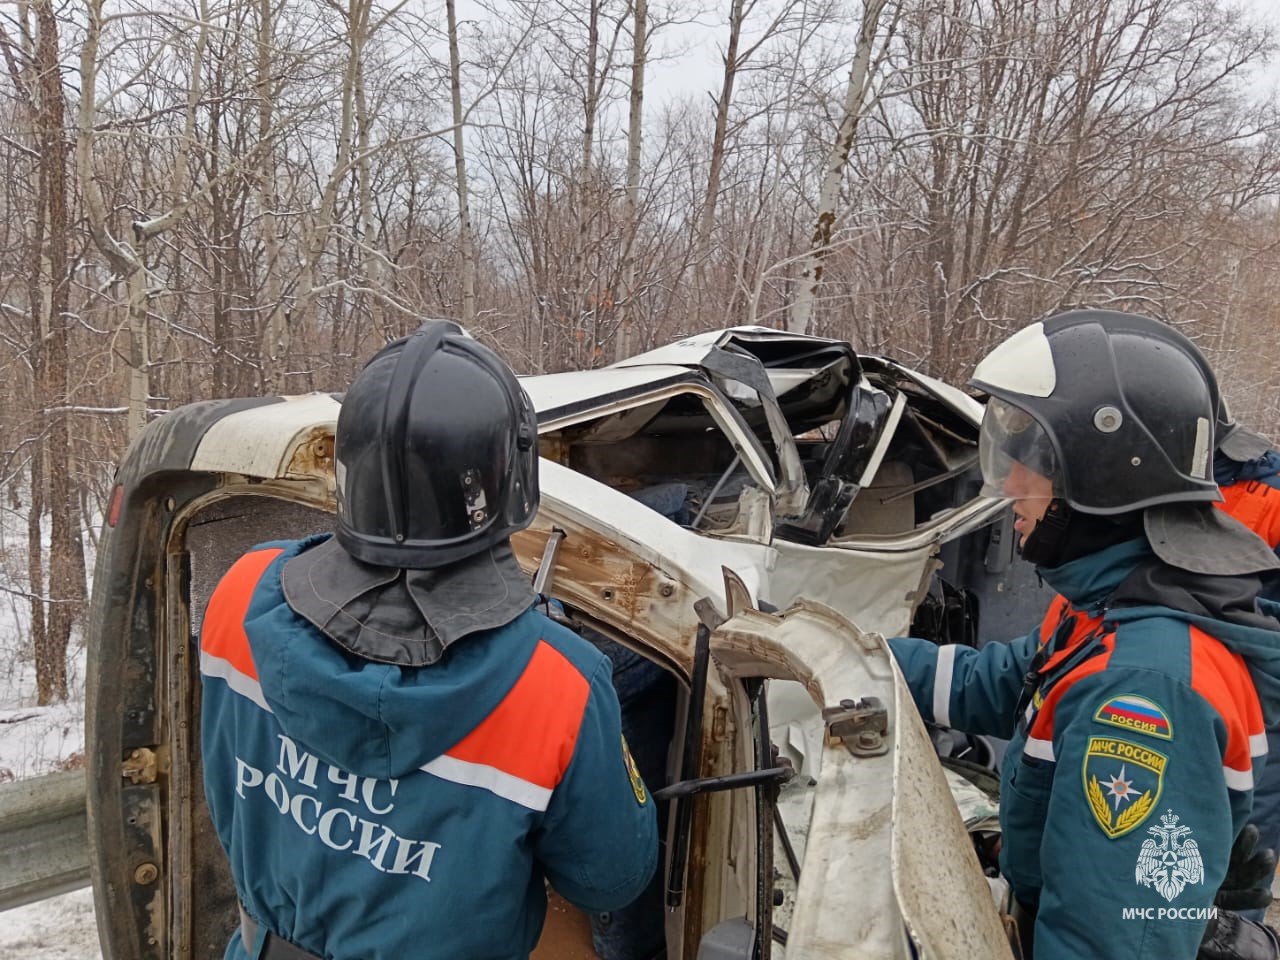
<point x="1116" y="409"/>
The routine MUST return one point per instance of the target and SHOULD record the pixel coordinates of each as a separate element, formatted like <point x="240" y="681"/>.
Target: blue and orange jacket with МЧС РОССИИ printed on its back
<point x="378" y="812"/>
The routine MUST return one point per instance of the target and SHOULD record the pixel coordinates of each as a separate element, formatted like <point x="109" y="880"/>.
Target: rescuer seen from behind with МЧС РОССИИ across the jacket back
<point x="399" y="749"/>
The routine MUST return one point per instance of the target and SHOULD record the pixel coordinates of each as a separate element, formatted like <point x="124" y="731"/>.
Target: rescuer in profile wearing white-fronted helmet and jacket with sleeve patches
<point x="1136" y="710"/>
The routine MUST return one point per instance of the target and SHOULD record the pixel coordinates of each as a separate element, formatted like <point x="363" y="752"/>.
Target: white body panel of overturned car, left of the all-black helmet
<point x="260" y="442"/>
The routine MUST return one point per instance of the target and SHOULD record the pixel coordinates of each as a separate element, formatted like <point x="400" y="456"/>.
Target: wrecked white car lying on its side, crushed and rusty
<point x="739" y="509"/>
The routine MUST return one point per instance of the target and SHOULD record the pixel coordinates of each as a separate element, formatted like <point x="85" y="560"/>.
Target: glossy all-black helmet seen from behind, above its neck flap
<point x="437" y="452"/>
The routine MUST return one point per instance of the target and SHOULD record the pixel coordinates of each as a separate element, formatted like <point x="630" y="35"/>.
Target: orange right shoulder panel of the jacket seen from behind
<point x="533" y="733"/>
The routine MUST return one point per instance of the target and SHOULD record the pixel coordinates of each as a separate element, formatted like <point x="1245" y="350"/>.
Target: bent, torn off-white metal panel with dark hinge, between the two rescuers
<point x="892" y="807"/>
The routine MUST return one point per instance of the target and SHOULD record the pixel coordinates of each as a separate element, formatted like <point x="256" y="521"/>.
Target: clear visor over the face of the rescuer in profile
<point x="1017" y="456"/>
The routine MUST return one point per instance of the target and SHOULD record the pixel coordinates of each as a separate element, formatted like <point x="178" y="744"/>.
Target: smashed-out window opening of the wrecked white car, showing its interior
<point x="881" y="456"/>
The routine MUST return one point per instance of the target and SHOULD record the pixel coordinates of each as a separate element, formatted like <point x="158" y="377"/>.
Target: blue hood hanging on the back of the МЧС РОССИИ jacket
<point x="377" y="720"/>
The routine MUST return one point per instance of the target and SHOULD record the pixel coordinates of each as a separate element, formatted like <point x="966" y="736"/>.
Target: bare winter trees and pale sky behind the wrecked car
<point x="237" y="198"/>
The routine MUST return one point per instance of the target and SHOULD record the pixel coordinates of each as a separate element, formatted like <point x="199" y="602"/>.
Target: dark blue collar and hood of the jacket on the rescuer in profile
<point x="1130" y="582"/>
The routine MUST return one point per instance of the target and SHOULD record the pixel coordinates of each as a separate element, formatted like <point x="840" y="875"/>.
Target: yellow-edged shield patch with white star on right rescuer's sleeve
<point x="1123" y="783"/>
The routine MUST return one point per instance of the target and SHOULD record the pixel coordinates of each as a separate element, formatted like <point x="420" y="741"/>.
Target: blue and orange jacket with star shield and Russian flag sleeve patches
<point x="1136" y="732"/>
